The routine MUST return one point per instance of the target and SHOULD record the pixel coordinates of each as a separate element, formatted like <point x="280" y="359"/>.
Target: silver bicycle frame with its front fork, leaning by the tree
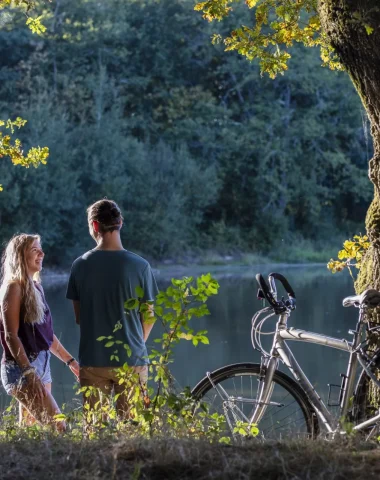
<point x="280" y="350"/>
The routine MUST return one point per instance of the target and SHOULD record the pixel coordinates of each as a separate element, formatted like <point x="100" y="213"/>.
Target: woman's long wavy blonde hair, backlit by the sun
<point x="14" y="269"/>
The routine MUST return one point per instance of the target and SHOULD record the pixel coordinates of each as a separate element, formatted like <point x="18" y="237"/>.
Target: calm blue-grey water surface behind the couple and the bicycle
<point x="319" y="309"/>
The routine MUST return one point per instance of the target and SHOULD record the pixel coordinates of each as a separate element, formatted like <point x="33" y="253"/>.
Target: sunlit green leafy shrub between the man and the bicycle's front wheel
<point x="162" y="410"/>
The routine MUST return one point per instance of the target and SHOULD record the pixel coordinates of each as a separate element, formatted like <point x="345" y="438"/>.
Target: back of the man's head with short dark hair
<point x="104" y="216"/>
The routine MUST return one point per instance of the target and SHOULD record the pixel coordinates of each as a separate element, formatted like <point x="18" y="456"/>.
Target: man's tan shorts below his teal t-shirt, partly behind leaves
<point x="106" y="378"/>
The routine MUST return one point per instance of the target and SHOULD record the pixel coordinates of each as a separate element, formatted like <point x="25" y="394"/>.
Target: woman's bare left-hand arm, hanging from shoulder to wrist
<point x="10" y="308"/>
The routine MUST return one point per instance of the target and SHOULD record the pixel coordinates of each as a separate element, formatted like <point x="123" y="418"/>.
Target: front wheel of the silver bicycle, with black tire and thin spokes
<point x="232" y="391"/>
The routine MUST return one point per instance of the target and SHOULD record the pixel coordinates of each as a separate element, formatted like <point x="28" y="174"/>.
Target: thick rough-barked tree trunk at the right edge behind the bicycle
<point x="346" y="23"/>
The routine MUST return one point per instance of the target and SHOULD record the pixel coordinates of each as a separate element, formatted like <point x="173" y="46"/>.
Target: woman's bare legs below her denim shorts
<point x="42" y="409"/>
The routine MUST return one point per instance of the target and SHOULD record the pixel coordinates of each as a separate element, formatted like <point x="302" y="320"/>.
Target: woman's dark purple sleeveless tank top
<point x="35" y="338"/>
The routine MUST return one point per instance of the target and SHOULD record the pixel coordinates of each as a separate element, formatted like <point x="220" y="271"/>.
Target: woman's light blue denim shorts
<point x="11" y="373"/>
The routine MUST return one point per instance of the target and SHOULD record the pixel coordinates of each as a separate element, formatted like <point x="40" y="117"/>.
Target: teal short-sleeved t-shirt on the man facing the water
<point x="102" y="280"/>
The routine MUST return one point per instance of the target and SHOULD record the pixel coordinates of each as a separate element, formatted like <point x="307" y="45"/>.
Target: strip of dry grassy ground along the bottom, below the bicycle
<point x="173" y="459"/>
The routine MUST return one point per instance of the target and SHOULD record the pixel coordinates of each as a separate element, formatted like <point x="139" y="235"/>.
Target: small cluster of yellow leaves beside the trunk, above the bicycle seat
<point x="353" y="251"/>
